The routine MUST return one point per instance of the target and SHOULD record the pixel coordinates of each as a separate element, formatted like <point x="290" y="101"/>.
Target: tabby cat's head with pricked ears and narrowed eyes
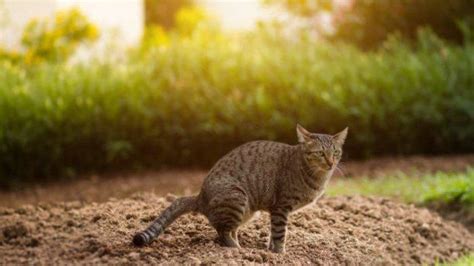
<point x="321" y="151"/>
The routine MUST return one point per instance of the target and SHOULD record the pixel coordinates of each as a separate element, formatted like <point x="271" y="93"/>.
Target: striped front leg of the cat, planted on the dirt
<point x="279" y="220"/>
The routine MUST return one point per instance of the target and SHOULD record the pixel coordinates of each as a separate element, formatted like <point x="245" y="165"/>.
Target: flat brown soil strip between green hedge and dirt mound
<point x="98" y="188"/>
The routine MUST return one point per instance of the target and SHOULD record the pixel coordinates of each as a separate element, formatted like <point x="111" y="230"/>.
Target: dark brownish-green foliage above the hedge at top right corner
<point x="369" y="23"/>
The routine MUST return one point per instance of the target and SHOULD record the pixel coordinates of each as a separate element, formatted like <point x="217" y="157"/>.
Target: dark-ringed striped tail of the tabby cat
<point x="179" y="207"/>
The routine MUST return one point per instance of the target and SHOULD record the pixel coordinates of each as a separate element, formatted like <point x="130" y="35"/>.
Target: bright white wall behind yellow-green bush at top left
<point x="123" y="17"/>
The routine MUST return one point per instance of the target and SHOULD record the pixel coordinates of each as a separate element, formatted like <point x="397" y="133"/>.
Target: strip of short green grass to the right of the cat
<point x="439" y="187"/>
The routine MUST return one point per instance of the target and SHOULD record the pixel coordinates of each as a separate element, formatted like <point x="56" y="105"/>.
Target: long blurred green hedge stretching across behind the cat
<point x="194" y="99"/>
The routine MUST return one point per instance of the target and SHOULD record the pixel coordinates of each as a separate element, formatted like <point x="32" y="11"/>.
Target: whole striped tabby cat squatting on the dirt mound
<point x="259" y="175"/>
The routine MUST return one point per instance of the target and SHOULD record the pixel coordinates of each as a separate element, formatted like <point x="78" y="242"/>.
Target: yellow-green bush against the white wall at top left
<point x="52" y="40"/>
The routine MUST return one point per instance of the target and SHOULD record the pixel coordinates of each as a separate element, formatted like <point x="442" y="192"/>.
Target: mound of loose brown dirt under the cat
<point x="339" y="230"/>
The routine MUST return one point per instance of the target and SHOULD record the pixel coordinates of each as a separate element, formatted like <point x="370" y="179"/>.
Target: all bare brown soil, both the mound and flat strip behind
<point x="79" y="223"/>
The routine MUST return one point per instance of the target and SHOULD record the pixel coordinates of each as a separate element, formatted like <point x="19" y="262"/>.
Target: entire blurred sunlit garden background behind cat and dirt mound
<point x="105" y="98"/>
